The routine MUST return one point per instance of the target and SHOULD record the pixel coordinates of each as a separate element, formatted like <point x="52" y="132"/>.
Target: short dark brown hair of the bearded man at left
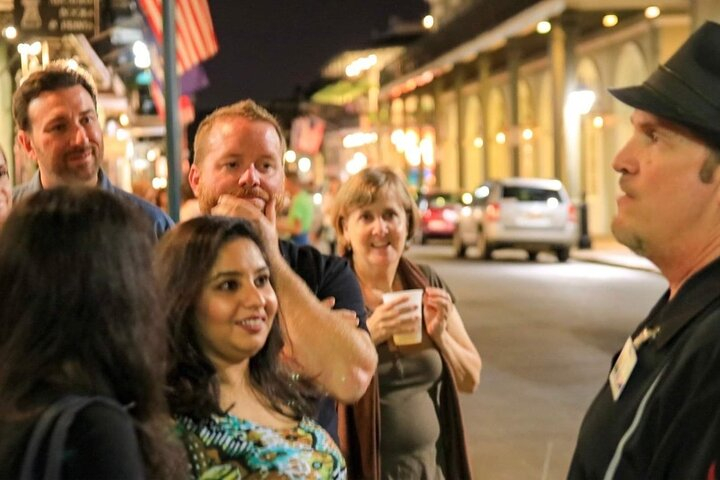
<point x="56" y="76"/>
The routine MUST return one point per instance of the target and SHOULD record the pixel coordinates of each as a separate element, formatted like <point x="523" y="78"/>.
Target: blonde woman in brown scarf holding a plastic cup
<point x="421" y="431"/>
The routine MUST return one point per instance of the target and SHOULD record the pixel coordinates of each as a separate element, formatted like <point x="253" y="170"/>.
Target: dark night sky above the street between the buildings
<point x="269" y="47"/>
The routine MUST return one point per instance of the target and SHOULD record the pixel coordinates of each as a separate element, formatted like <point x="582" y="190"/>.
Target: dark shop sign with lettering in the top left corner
<point x="55" y="18"/>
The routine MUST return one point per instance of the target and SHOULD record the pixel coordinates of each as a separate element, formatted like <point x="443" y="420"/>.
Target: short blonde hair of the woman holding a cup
<point x="363" y="189"/>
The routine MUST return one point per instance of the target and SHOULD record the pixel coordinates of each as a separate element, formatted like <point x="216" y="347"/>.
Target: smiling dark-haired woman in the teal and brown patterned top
<point x="240" y="411"/>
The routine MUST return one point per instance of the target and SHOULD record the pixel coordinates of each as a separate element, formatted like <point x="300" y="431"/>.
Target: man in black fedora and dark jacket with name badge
<point x="653" y="416"/>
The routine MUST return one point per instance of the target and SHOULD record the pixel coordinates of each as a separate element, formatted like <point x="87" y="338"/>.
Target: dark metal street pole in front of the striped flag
<point x="172" y="117"/>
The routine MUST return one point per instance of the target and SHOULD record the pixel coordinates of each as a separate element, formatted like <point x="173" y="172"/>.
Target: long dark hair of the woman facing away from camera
<point x="79" y="309"/>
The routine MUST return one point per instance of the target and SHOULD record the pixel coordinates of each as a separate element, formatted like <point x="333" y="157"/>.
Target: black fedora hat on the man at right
<point x="686" y="89"/>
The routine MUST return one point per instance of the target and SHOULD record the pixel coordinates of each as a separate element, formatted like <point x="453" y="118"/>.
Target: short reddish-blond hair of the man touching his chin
<point x="247" y="109"/>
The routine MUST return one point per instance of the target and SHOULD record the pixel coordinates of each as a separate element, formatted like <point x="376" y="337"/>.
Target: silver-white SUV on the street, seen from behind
<point x="534" y="214"/>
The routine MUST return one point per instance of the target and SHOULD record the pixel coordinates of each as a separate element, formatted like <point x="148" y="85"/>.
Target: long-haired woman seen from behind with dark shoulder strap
<point x="78" y="318"/>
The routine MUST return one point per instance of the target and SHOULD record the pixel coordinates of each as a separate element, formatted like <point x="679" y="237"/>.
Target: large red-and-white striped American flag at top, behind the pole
<point x="194" y="33"/>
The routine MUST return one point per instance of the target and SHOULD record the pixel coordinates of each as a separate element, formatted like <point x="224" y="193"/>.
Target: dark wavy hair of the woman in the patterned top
<point x="184" y="260"/>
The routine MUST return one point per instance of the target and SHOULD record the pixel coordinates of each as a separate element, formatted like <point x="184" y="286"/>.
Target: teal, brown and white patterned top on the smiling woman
<point x="228" y="448"/>
